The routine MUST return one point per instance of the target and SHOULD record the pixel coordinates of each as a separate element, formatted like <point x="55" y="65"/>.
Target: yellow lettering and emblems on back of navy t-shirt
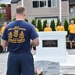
<point x="16" y="36"/>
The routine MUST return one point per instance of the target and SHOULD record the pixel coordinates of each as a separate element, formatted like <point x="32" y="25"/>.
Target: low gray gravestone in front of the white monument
<point x="48" y="67"/>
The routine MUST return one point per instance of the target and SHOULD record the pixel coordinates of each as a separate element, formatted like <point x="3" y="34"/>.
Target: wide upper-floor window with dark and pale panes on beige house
<point x="44" y="3"/>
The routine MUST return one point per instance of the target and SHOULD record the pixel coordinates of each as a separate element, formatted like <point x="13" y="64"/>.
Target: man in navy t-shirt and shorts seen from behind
<point x="17" y="37"/>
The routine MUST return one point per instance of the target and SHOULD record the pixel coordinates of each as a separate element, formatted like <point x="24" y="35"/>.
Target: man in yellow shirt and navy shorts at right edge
<point x="71" y="29"/>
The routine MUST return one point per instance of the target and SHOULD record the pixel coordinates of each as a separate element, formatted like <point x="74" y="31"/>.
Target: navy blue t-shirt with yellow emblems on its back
<point x="18" y="34"/>
